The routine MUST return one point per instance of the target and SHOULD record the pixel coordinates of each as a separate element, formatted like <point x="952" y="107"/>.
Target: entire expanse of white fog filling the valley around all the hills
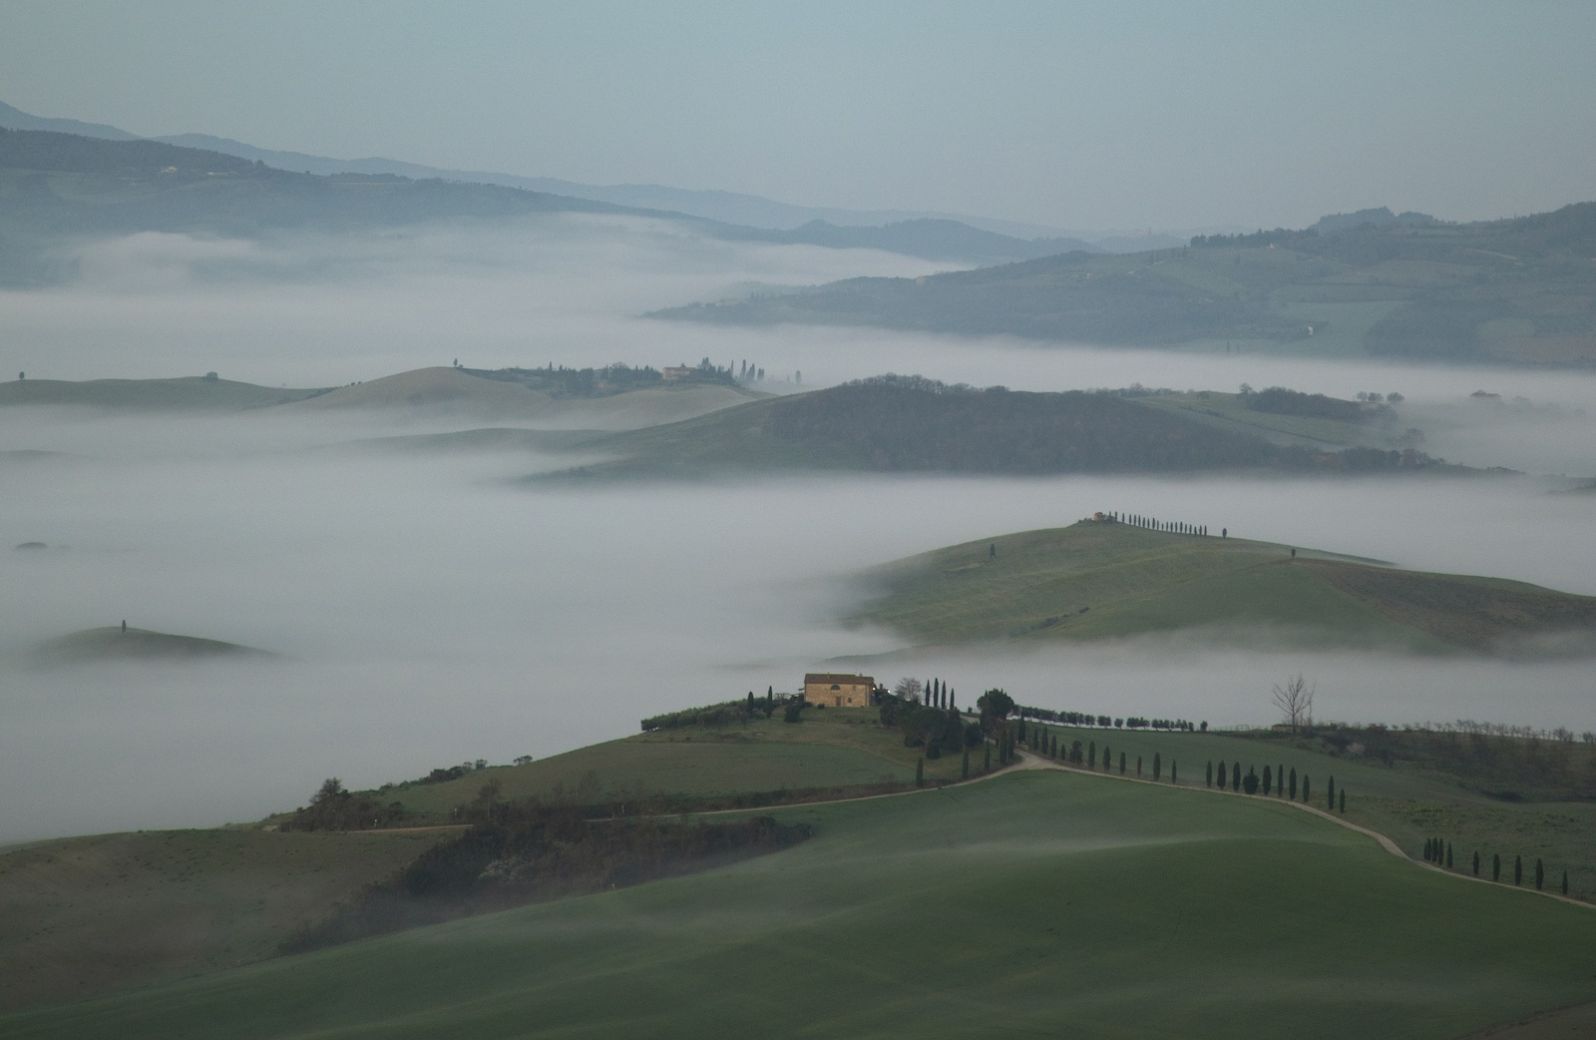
<point x="432" y="607"/>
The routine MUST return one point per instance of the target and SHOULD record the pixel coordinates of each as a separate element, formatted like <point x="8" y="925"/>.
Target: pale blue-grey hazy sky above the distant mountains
<point x="1081" y="116"/>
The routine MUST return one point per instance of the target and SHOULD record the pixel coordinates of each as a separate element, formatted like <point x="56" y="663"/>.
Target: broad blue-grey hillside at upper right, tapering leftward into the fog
<point x="1504" y="291"/>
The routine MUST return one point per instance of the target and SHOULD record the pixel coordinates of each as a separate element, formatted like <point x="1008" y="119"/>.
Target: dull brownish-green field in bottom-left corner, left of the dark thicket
<point x="90" y="915"/>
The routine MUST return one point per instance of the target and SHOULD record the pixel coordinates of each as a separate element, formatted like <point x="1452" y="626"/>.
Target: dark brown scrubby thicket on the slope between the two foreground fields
<point x="534" y="851"/>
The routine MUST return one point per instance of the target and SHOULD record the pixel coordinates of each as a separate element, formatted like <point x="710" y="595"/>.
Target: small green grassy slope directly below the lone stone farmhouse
<point x="831" y="749"/>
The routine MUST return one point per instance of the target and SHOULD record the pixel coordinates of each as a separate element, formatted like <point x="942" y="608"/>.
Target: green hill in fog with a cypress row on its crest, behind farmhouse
<point x="1097" y="581"/>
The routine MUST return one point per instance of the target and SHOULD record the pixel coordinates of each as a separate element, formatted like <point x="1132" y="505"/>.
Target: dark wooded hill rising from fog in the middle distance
<point x="912" y="425"/>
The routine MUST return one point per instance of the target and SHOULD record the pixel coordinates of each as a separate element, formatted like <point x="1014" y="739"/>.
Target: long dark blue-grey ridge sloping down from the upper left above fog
<point x="60" y="184"/>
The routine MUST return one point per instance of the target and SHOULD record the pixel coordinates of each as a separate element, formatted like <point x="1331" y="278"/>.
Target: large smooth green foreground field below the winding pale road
<point x="1038" y="904"/>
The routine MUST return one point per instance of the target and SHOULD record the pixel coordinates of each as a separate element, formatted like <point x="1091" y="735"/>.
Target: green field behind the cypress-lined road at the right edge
<point x="1404" y="802"/>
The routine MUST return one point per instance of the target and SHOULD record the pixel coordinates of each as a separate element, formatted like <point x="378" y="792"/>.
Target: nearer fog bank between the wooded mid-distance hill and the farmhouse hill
<point x="435" y="612"/>
